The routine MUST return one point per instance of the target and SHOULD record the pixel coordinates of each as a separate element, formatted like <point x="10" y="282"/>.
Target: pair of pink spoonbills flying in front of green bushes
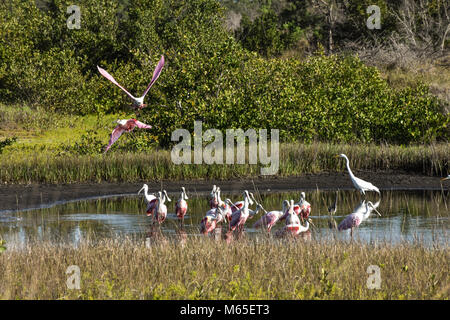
<point x="138" y="103"/>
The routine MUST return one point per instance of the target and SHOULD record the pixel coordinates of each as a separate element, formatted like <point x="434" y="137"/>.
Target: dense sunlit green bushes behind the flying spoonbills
<point x="208" y="76"/>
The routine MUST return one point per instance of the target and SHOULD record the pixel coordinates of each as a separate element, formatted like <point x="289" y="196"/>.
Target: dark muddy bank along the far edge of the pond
<point x="20" y="197"/>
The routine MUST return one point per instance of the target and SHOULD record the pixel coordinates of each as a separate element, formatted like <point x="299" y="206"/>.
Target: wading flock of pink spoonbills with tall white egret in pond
<point x="235" y="215"/>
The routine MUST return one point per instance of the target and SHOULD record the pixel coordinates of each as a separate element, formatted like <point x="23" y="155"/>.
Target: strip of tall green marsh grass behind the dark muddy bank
<point x="295" y="159"/>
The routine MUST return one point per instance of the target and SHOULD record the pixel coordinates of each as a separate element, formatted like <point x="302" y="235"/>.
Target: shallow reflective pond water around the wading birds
<point x="407" y="216"/>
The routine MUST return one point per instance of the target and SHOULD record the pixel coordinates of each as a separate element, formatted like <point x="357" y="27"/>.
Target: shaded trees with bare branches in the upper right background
<point x="272" y="26"/>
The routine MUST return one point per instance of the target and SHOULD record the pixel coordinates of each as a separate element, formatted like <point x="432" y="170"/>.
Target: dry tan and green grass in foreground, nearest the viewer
<point x="207" y="269"/>
